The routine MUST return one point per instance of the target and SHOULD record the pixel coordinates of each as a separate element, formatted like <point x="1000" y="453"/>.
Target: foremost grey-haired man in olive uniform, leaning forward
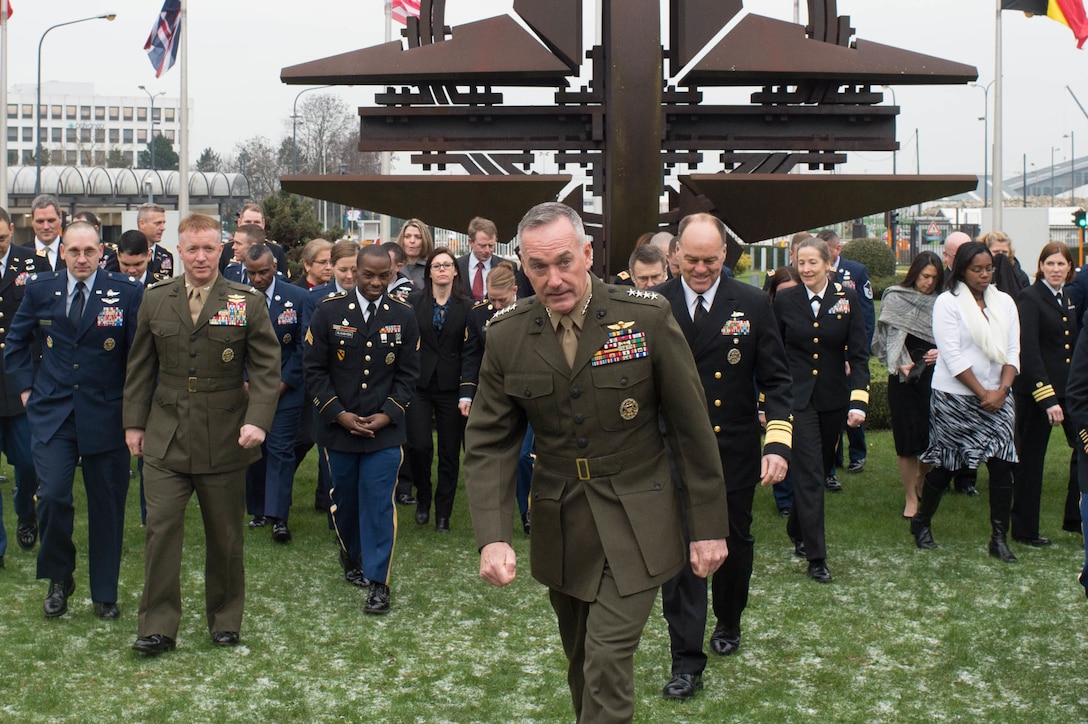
<point x="592" y="369"/>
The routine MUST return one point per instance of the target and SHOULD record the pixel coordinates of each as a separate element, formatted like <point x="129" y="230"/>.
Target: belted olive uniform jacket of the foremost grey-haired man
<point x="602" y="493"/>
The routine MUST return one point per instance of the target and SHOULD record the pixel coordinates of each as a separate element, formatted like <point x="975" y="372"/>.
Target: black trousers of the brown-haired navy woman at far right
<point x="1033" y="436"/>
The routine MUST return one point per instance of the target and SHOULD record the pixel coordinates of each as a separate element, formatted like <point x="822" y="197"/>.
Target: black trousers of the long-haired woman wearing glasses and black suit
<point x="440" y="407"/>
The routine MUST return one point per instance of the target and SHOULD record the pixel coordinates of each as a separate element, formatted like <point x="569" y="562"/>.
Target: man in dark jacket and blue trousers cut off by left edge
<point x="15" y="431"/>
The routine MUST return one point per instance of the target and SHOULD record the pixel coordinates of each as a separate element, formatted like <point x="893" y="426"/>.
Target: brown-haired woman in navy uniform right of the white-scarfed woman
<point x="1049" y="332"/>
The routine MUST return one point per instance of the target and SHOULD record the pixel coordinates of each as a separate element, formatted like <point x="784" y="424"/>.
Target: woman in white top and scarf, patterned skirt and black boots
<point x="978" y="333"/>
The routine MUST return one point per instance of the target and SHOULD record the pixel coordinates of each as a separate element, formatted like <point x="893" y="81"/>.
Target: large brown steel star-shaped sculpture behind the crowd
<point x="638" y="133"/>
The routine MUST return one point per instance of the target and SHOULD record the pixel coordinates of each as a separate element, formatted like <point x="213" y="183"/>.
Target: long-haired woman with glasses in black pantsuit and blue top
<point x="442" y="311"/>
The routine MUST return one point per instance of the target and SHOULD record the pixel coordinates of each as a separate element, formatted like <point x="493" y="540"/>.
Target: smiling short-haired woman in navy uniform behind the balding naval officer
<point x="829" y="352"/>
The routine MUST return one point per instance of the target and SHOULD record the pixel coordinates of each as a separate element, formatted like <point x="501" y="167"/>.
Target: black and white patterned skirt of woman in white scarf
<point x="962" y="435"/>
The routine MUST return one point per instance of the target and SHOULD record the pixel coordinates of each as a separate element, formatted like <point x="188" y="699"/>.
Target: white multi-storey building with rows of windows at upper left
<point x="80" y="128"/>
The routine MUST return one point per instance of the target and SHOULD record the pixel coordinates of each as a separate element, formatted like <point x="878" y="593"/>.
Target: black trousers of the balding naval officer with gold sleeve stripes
<point x="684" y="599"/>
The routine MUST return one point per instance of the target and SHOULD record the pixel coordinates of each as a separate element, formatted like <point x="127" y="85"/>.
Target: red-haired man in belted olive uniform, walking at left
<point x="204" y="379"/>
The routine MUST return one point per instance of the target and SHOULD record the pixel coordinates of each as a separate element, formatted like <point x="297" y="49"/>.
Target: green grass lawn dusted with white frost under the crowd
<point x="902" y="635"/>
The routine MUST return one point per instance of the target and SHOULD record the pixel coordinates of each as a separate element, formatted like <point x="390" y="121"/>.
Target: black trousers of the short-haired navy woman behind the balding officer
<point x="815" y="436"/>
